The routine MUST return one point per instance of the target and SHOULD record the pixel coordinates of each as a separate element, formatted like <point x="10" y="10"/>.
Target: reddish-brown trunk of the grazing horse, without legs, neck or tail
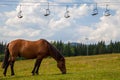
<point x="28" y="49"/>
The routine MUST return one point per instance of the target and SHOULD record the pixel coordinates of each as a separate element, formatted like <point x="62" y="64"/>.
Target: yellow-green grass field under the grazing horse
<point x="100" y="67"/>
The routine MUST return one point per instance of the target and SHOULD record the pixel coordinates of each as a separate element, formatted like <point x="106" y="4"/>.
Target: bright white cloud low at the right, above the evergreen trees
<point x="108" y="29"/>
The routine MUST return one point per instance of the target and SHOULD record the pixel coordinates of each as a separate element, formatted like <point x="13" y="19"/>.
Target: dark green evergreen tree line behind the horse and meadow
<point x="81" y="49"/>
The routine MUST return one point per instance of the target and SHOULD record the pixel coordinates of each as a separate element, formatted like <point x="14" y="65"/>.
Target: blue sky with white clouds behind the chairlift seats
<point x="81" y="24"/>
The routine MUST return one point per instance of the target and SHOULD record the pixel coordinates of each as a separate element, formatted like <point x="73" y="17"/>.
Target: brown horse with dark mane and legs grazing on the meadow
<point x="30" y="50"/>
